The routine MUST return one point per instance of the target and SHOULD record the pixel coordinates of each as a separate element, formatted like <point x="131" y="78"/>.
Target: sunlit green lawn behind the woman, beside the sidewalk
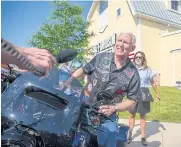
<point x="167" y="110"/>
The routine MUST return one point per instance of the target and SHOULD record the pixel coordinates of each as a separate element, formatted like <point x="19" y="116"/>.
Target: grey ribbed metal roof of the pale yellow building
<point x="156" y="9"/>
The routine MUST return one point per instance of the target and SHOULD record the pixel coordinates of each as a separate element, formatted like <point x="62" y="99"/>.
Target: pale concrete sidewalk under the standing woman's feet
<point x="158" y="134"/>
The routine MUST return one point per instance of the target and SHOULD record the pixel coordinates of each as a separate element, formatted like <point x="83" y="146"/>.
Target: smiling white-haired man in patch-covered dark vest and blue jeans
<point x="115" y="74"/>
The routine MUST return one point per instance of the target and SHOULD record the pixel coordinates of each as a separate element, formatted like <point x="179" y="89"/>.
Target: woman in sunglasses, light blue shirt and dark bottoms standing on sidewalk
<point x="143" y="106"/>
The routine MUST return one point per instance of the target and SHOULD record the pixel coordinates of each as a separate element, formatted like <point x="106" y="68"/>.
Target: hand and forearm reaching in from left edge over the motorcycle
<point x="35" y="60"/>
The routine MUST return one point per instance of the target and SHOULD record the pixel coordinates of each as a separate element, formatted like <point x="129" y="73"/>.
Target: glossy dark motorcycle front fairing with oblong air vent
<point x="41" y="102"/>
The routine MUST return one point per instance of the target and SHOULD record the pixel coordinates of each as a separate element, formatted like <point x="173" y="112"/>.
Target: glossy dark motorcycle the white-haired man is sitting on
<point x="36" y="113"/>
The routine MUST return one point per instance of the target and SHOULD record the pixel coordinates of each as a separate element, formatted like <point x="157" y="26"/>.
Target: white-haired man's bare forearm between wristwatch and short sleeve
<point x="126" y="105"/>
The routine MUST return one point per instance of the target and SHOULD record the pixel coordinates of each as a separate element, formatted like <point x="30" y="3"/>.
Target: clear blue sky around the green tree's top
<point x="21" y="19"/>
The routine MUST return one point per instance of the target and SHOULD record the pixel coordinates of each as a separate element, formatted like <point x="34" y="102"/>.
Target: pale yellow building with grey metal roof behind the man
<point x="156" y="25"/>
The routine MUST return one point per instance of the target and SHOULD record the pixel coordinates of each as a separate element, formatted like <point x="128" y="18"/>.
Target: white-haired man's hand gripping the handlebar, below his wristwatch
<point x="107" y="110"/>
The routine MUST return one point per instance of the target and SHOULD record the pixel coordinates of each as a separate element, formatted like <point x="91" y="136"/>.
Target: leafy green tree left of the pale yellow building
<point x="65" y="29"/>
